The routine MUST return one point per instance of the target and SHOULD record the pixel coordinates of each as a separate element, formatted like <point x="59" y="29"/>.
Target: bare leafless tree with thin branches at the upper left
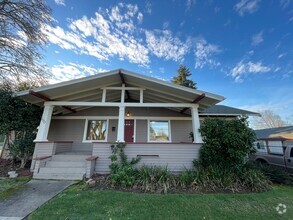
<point x="22" y="39"/>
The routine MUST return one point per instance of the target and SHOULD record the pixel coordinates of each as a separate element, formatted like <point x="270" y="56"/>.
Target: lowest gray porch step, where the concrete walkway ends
<point x="59" y="176"/>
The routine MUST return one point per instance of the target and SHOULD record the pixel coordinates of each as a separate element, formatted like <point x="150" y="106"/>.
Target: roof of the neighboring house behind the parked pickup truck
<point x="282" y="132"/>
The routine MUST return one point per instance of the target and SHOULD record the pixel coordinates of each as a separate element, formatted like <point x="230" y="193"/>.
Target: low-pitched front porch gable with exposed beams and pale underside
<point x="89" y="89"/>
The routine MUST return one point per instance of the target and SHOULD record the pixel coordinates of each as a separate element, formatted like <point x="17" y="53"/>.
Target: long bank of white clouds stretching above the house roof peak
<point x="114" y="33"/>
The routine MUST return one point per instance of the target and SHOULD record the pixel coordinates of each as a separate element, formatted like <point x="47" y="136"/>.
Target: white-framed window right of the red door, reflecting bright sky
<point x="159" y="131"/>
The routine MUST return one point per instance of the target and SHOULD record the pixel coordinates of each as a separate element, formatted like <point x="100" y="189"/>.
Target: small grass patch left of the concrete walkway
<point x="9" y="186"/>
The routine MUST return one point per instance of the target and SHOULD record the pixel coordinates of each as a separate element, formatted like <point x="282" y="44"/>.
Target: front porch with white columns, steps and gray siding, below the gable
<point x="88" y="138"/>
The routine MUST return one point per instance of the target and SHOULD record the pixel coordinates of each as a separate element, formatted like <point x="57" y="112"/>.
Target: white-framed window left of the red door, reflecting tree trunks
<point x="96" y="130"/>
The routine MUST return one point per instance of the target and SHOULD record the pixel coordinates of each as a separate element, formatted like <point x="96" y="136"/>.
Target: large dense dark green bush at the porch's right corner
<point x="226" y="142"/>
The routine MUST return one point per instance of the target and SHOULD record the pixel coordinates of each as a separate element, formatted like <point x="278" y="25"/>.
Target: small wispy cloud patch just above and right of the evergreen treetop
<point x="204" y="52"/>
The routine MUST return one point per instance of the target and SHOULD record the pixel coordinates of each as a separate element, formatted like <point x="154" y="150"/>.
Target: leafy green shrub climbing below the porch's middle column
<point x="122" y="171"/>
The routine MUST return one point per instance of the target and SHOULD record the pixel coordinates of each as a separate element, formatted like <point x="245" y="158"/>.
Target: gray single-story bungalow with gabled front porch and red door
<point x="83" y="117"/>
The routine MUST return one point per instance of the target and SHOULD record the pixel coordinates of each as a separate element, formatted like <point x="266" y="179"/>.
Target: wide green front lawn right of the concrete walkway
<point x="78" y="203"/>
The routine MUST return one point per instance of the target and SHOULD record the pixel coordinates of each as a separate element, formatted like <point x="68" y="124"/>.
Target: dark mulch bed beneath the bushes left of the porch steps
<point x="10" y="165"/>
